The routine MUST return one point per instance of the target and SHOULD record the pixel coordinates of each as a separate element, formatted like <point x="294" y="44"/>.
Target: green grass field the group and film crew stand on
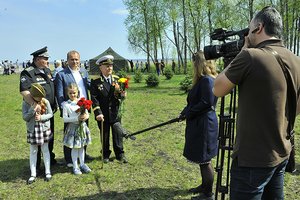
<point x="156" y="168"/>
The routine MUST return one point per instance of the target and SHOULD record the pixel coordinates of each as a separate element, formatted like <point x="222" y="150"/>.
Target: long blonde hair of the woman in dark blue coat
<point x="203" y="67"/>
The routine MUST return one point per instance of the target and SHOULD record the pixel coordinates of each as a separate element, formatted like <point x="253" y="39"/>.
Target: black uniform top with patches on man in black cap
<point x="33" y="74"/>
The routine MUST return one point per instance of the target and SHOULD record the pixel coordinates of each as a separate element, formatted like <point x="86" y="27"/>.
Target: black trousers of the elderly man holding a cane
<point x="117" y="139"/>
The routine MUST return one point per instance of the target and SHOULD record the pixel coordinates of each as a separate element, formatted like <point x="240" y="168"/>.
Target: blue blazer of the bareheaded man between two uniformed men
<point x="63" y="79"/>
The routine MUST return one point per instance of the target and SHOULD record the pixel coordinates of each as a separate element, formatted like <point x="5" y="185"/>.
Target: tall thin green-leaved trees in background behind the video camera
<point x="177" y="28"/>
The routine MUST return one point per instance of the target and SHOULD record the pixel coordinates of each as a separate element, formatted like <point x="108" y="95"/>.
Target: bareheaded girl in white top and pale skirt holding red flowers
<point x="77" y="134"/>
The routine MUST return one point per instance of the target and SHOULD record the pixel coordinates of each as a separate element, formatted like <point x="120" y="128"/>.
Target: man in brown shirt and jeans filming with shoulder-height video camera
<point x="262" y="147"/>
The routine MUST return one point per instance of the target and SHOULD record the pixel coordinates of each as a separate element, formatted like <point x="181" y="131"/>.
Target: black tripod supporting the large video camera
<point x="227" y="118"/>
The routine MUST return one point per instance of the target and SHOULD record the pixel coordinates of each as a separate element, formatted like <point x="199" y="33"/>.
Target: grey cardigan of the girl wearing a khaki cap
<point x="29" y="115"/>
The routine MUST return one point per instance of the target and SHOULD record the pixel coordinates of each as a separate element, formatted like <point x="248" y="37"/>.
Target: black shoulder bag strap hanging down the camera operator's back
<point x="292" y="107"/>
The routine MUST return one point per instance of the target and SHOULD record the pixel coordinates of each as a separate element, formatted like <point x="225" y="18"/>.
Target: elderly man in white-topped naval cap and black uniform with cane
<point x="106" y="106"/>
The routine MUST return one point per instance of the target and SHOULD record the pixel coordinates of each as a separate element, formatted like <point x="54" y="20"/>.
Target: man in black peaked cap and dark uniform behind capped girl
<point x="39" y="72"/>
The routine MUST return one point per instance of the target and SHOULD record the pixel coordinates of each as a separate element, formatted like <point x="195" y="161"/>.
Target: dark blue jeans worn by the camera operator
<point x="256" y="183"/>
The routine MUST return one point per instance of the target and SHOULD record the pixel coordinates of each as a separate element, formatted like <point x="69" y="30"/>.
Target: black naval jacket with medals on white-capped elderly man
<point x="104" y="100"/>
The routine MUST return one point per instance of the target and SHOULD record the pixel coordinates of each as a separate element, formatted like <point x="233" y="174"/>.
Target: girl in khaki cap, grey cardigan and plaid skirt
<point x="38" y="129"/>
